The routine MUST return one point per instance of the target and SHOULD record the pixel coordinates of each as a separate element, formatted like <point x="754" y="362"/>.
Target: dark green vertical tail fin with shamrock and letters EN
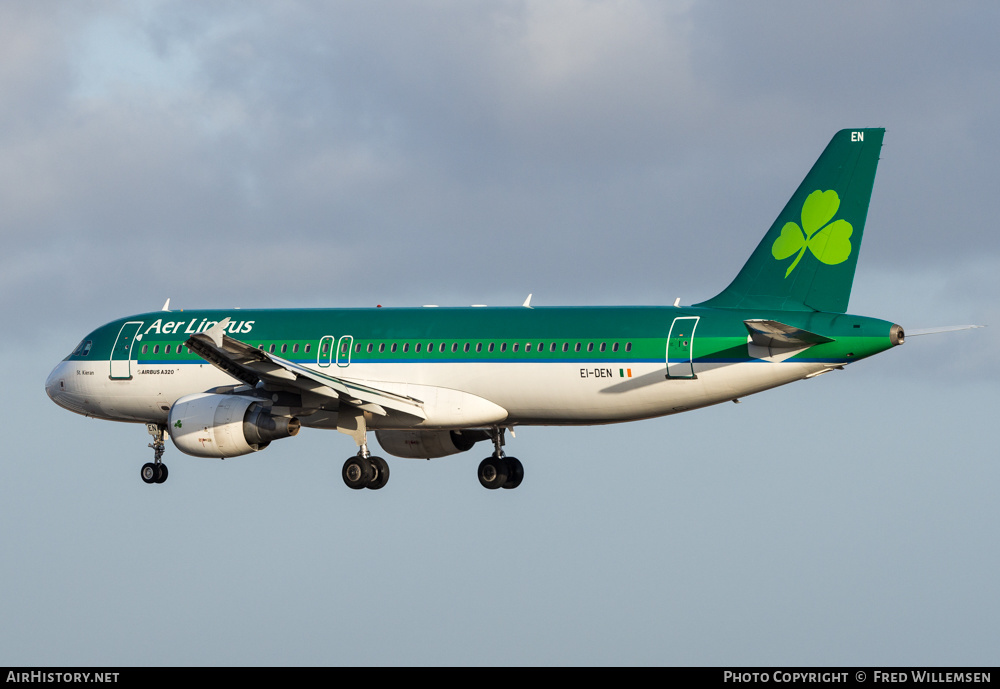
<point x="807" y="259"/>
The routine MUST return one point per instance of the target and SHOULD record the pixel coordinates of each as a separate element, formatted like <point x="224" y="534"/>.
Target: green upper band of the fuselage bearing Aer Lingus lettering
<point x="639" y="332"/>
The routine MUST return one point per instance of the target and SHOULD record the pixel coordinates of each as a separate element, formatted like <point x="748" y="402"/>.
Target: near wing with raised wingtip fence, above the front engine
<point x="254" y="366"/>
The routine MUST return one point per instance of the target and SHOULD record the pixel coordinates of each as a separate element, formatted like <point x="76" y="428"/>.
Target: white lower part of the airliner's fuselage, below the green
<point x="454" y="395"/>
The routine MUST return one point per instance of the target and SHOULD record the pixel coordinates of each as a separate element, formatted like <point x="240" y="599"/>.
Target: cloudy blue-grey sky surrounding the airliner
<point x="285" y="154"/>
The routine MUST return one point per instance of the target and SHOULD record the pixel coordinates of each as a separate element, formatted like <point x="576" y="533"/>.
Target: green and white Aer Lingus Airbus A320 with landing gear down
<point x="431" y="382"/>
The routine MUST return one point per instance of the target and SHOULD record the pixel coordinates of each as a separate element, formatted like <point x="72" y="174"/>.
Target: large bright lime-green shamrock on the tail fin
<point x="830" y="242"/>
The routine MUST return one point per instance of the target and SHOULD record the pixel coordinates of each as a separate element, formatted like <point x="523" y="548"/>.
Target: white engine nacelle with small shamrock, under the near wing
<point x="213" y="425"/>
